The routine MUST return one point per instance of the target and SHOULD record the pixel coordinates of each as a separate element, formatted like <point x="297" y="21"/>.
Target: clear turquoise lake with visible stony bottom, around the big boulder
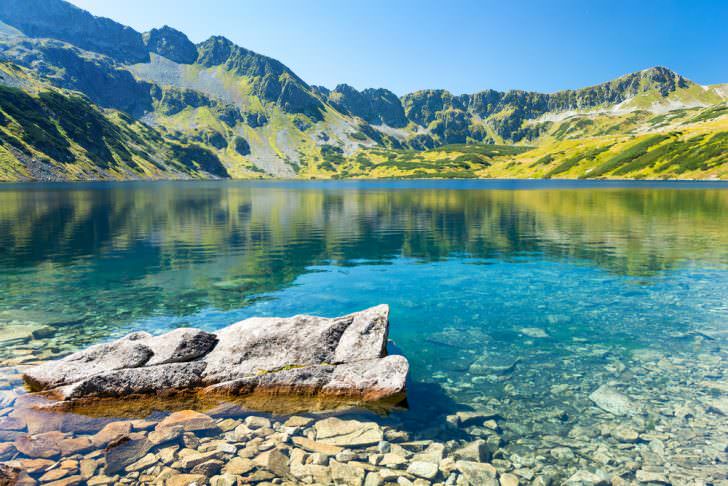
<point x="557" y="332"/>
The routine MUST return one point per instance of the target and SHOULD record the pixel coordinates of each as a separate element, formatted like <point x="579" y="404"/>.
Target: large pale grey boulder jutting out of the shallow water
<point x="342" y="356"/>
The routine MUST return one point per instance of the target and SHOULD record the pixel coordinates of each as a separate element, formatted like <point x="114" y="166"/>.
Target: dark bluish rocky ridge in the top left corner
<point x="58" y="19"/>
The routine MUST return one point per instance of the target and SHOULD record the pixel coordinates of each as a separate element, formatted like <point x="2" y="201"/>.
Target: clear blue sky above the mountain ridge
<point x="460" y="45"/>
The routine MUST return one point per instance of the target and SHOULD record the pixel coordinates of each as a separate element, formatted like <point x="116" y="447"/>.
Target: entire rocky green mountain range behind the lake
<point x="86" y="98"/>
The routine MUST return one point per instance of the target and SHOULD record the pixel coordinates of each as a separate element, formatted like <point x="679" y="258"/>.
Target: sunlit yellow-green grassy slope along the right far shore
<point x="693" y="145"/>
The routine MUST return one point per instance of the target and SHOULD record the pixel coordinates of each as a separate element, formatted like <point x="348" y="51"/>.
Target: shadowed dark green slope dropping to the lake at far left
<point x="48" y="133"/>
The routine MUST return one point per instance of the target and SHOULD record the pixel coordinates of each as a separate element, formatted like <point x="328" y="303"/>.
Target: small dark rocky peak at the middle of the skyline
<point x="376" y="106"/>
